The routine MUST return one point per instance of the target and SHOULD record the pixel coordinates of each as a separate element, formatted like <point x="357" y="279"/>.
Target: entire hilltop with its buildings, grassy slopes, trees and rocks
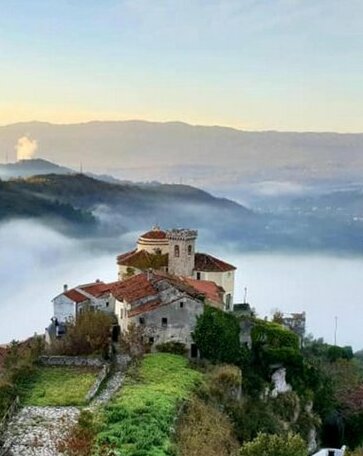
<point x="263" y="383"/>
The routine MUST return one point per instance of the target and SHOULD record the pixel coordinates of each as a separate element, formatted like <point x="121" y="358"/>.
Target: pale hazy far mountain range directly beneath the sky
<point x="203" y="156"/>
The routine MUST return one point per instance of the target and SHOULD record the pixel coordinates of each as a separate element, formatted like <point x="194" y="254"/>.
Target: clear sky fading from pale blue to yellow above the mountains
<point x="249" y="64"/>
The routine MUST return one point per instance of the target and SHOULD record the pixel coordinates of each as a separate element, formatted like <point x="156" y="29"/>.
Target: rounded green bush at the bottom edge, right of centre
<point x="275" y="445"/>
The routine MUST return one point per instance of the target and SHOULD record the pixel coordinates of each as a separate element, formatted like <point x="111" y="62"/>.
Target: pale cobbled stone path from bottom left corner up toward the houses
<point x="33" y="431"/>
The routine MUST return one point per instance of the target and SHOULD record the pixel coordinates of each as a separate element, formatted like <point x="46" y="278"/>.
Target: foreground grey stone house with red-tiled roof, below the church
<point x="165" y="306"/>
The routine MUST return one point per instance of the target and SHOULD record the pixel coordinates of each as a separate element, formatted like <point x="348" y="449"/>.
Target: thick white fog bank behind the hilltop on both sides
<point x="35" y="262"/>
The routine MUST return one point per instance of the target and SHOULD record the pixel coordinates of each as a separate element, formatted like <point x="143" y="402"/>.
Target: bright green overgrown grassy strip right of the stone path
<point x="139" y="420"/>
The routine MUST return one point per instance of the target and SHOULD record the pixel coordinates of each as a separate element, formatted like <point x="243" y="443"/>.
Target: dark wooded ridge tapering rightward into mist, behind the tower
<point x="123" y="207"/>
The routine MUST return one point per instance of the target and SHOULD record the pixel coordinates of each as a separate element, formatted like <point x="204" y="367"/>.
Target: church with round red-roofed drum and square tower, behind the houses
<point x="174" y="252"/>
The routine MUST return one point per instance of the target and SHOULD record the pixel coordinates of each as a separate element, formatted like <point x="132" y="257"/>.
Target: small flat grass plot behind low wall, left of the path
<point x="56" y="386"/>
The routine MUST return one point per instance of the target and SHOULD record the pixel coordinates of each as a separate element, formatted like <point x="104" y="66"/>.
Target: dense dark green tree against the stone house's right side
<point x="217" y="336"/>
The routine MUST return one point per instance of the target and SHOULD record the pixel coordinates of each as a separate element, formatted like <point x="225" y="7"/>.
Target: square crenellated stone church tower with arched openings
<point x="181" y="251"/>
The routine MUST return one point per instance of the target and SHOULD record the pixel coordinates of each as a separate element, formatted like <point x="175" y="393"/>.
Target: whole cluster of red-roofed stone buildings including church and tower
<point x="163" y="285"/>
